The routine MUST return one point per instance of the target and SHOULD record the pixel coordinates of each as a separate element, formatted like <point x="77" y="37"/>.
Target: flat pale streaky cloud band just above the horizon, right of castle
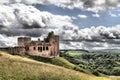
<point x="88" y="45"/>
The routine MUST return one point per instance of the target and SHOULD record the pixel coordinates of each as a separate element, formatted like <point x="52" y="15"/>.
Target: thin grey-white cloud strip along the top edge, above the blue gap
<point x="94" y="5"/>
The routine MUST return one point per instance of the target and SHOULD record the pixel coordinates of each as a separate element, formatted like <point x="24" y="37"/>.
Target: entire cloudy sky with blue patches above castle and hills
<point x="81" y="24"/>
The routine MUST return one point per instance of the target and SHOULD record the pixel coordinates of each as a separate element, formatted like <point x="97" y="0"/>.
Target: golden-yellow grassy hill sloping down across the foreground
<point x="21" y="68"/>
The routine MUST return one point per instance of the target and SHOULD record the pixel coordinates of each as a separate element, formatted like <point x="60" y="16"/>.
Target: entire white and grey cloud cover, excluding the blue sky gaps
<point x="25" y="20"/>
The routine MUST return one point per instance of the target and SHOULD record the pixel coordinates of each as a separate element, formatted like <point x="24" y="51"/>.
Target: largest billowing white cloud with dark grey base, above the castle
<point x="19" y="19"/>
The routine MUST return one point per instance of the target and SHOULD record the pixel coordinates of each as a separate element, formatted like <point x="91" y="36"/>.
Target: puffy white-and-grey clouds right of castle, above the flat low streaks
<point x="100" y="34"/>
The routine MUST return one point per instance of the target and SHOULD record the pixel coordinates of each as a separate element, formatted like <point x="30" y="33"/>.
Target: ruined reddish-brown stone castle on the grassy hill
<point x="49" y="47"/>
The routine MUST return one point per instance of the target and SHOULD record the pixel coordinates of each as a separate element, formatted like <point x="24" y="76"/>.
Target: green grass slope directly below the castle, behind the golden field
<point x="60" y="61"/>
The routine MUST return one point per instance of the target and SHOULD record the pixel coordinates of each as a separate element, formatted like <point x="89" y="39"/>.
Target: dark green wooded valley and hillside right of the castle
<point x="96" y="63"/>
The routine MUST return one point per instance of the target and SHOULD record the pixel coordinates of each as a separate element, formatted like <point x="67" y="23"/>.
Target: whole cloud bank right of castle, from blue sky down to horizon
<point x="91" y="38"/>
